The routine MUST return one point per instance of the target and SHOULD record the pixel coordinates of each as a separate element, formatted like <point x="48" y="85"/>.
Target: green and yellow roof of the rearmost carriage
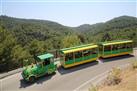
<point x="115" y="42"/>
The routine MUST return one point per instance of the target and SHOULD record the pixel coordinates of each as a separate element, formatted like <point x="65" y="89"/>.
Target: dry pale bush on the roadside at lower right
<point x="114" y="77"/>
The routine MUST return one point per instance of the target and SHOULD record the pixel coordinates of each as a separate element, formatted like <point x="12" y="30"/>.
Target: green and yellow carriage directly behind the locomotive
<point x="78" y="55"/>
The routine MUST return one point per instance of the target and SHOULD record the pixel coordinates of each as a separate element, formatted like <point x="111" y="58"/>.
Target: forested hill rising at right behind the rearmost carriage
<point x="124" y="27"/>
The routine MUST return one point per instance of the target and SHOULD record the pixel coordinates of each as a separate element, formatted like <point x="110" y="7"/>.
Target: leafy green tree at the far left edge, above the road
<point x="7" y="42"/>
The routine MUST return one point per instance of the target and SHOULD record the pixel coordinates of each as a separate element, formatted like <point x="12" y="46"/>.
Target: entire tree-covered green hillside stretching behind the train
<point x="21" y="39"/>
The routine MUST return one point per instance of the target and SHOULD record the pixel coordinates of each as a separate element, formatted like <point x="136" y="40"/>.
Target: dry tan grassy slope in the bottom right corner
<point x="128" y="83"/>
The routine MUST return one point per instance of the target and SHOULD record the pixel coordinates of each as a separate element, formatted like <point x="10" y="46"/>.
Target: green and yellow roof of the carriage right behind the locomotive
<point x="78" y="48"/>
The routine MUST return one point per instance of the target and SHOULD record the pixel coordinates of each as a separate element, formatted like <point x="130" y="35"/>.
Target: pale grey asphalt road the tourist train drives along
<point x="64" y="79"/>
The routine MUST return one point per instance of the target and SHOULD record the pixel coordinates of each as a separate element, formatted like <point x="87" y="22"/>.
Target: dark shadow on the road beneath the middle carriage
<point x="62" y="70"/>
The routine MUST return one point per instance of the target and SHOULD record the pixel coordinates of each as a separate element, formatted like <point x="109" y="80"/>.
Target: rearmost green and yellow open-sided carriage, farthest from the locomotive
<point x="115" y="48"/>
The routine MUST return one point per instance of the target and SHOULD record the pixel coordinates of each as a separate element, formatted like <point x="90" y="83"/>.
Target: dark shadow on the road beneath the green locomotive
<point x="40" y="80"/>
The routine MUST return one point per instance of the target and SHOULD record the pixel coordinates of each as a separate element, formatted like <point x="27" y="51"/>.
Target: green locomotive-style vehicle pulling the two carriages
<point x="44" y="65"/>
